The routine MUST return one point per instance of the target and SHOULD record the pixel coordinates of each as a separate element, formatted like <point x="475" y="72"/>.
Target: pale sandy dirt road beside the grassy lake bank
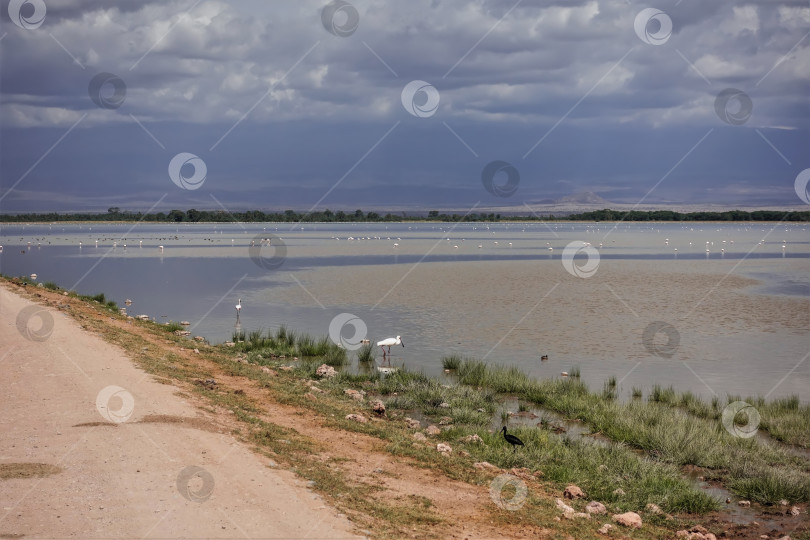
<point x="126" y="477"/>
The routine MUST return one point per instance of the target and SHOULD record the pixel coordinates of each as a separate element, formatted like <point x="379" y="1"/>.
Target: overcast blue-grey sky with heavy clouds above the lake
<point x="297" y="104"/>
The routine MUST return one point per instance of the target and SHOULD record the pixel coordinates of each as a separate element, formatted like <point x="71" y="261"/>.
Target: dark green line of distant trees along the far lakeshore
<point x="327" y="216"/>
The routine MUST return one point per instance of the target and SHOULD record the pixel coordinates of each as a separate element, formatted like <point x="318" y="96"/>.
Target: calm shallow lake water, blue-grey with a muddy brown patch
<point x="731" y="320"/>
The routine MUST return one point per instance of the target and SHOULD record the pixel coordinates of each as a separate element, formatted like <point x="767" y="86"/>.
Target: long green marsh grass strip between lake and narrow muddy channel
<point x="662" y="429"/>
